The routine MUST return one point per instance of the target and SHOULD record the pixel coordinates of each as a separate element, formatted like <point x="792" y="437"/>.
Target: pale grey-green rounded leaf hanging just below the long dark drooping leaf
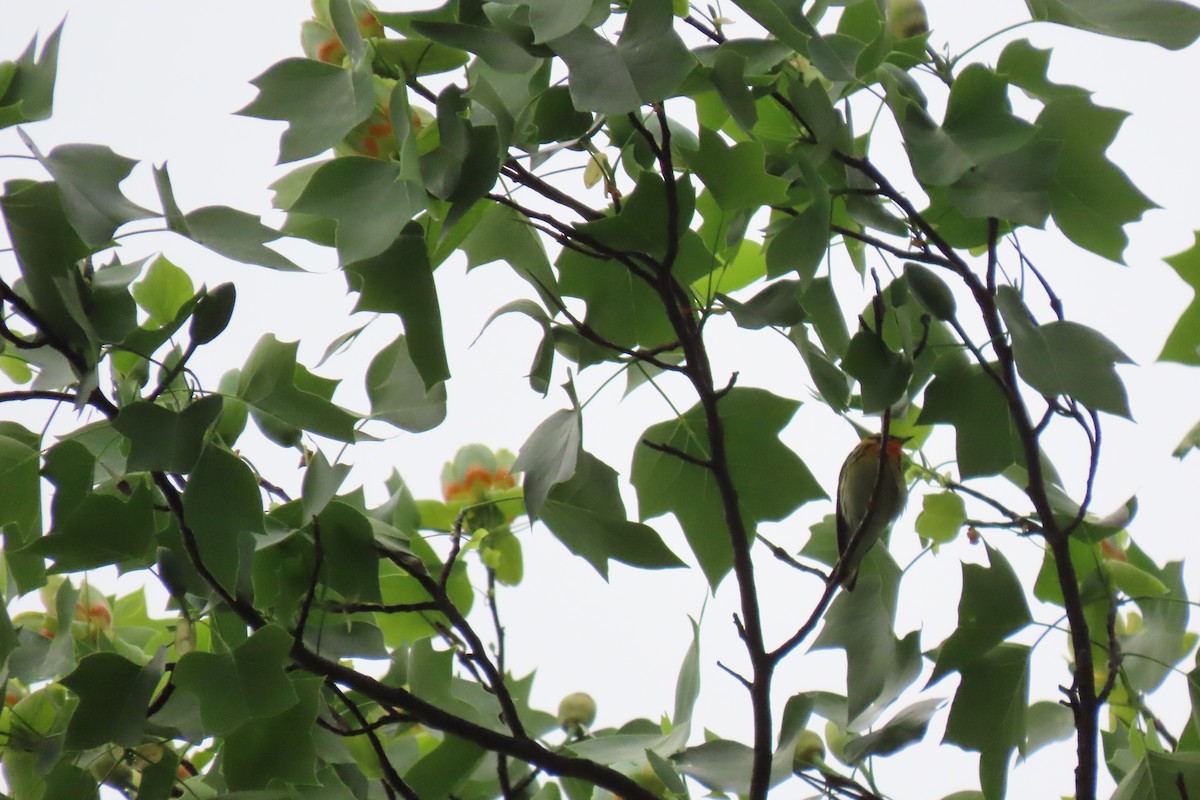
<point x="398" y="393"/>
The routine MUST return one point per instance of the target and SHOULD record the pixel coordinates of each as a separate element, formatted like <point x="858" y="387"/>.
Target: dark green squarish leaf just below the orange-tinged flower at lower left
<point x="115" y="695"/>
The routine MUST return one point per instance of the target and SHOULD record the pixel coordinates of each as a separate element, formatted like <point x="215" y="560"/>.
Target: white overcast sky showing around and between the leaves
<point x="158" y="81"/>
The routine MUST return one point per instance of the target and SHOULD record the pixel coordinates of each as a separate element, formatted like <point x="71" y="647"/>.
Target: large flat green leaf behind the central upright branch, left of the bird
<point x="771" y="479"/>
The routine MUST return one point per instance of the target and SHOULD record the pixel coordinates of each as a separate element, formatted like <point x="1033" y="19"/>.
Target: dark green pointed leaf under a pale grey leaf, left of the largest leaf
<point x="587" y="515"/>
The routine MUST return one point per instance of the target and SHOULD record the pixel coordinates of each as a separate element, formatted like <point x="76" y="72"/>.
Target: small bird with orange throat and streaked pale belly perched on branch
<point x="856" y="488"/>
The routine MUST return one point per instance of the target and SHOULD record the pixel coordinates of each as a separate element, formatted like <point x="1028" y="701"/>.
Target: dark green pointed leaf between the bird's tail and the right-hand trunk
<point x="992" y="609"/>
